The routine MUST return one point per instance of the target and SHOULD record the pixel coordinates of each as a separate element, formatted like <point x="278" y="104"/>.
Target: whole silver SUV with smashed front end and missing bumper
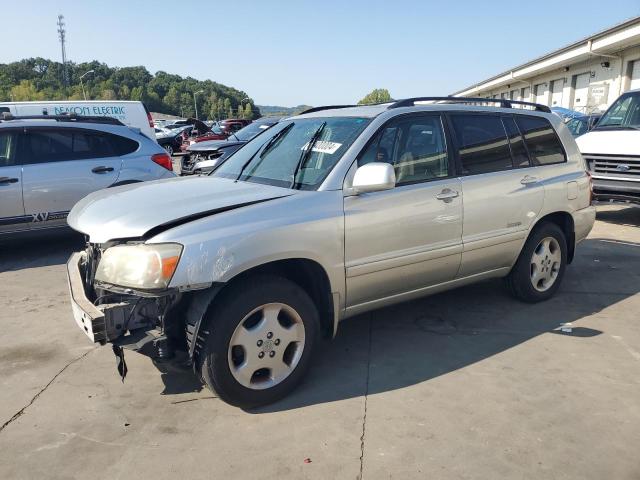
<point x="324" y="216"/>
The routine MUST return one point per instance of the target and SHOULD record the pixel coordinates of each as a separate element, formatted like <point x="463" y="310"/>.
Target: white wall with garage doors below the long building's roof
<point x="587" y="86"/>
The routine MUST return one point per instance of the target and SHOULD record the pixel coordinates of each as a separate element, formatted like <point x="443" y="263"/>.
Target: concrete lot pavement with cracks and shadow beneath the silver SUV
<point x="466" y="384"/>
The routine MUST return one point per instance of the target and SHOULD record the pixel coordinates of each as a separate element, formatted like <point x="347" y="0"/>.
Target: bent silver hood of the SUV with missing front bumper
<point x="145" y="209"/>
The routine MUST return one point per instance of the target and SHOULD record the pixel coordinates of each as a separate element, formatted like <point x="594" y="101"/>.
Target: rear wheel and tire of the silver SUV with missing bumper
<point x="539" y="270"/>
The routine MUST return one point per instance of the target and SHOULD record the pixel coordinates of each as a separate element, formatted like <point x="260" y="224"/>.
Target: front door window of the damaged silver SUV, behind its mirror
<point x="415" y="147"/>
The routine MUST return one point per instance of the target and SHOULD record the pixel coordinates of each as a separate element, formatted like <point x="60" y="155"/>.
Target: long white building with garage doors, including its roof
<point x="586" y="76"/>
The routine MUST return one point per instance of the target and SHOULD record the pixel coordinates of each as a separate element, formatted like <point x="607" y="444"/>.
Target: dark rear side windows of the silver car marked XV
<point x="68" y="144"/>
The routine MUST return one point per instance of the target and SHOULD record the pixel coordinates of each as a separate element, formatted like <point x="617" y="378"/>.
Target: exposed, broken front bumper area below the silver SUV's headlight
<point x="128" y="318"/>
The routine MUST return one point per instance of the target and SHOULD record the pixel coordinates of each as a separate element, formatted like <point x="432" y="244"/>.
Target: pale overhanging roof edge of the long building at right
<point x="604" y="43"/>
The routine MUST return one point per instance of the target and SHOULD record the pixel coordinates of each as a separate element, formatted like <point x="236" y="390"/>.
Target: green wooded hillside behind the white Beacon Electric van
<point x="42" y="79"/>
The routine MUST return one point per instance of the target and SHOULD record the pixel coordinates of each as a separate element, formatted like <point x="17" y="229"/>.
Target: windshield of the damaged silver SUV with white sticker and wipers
<point x="277" y="155"/>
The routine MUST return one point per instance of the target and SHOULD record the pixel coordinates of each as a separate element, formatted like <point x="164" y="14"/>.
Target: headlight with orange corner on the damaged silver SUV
<point x="144" y="267"/>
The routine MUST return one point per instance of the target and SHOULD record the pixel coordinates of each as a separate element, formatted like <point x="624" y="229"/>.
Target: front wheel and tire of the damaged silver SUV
<point x="241" y="362"/>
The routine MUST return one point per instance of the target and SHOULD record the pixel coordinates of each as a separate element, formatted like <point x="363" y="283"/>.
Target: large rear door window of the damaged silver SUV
<point x="482" y="143"/>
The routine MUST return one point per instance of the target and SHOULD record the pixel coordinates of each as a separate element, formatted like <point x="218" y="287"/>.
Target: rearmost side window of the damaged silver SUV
<point x="541" y="140"/>
